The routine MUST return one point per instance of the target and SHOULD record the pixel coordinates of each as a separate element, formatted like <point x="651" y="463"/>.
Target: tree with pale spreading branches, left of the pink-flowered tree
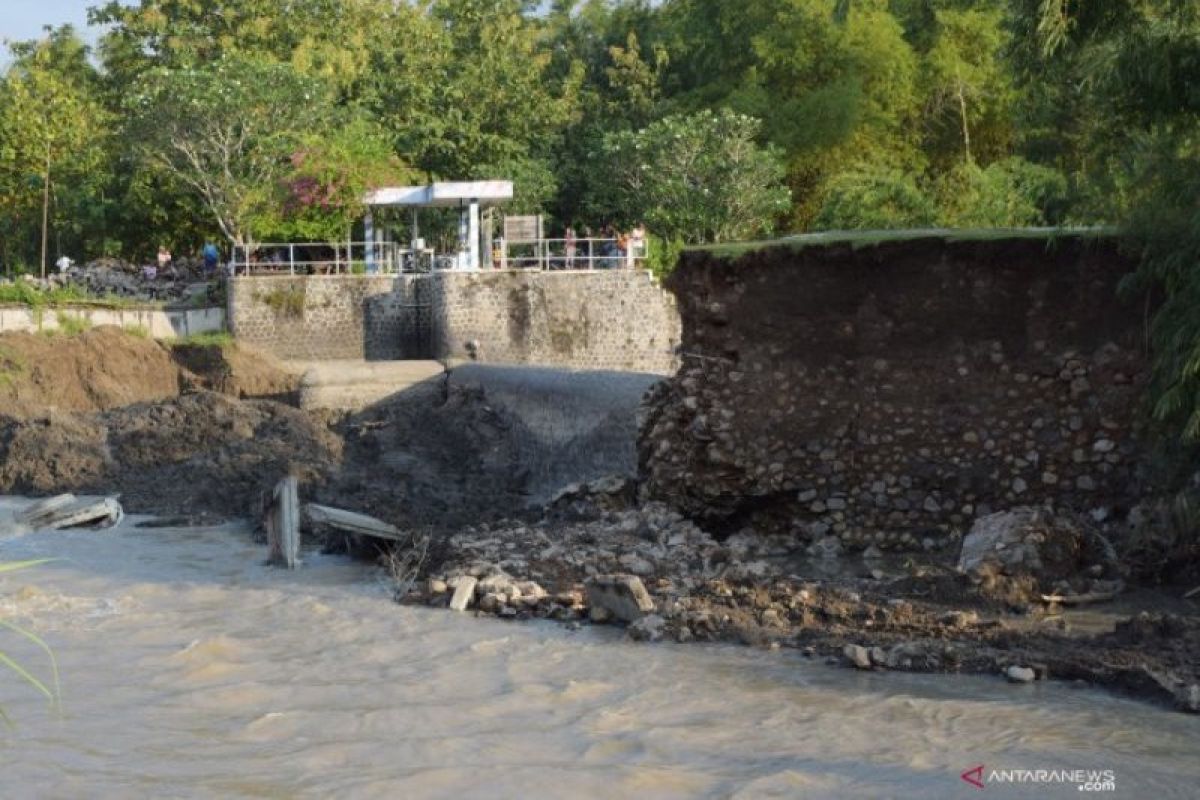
<point x="227" y="131"/>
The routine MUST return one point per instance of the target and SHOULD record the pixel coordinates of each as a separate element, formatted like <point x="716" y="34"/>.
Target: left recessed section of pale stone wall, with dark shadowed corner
<point x="332" y="317"/>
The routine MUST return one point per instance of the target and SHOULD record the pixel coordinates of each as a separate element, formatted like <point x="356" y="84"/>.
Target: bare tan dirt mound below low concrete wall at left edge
<point x="99" y="370"/>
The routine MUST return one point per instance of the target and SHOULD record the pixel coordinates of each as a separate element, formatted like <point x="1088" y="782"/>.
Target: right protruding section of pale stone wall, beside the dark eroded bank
<point x="617" y="320"/>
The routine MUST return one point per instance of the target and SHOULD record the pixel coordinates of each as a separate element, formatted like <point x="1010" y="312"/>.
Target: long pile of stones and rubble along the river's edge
<point x="662" y="578"/>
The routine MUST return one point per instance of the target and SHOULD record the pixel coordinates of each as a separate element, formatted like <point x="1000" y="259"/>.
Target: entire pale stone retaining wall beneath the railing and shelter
<point x="619" y="320"/>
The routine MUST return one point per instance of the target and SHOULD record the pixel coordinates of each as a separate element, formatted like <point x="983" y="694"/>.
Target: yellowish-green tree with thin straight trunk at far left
<point x="51" y="124"/>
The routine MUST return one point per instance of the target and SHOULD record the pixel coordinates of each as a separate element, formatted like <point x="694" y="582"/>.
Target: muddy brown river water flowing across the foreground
<point x="189" y="670"/>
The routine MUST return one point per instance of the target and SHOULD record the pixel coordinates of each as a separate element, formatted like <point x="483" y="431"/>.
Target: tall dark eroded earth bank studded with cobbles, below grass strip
<point x="891" y="395"/>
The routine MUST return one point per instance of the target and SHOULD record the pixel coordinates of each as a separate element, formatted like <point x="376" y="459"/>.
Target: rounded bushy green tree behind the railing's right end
<point x="699" y="178"/>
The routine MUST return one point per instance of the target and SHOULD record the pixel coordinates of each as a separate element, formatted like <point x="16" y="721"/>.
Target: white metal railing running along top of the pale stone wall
<point x="391" y="258"/>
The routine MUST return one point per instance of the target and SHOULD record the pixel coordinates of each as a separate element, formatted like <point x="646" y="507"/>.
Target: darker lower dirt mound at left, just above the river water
<point x="201" y="453"/>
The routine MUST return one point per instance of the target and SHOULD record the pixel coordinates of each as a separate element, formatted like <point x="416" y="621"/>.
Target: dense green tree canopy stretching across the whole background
<point x="867" y="112"/>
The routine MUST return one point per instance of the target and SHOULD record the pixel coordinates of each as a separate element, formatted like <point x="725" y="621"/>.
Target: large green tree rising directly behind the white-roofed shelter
<point x="466" y="85"/>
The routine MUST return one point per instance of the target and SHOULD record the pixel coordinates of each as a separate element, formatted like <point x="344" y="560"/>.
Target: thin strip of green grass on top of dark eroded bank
<point x="859" y="239"/>
